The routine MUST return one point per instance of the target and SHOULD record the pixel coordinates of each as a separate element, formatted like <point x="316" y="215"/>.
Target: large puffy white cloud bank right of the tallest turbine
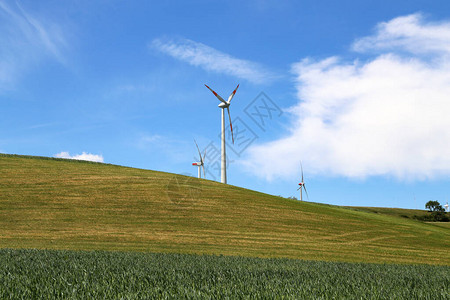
<point x="388" y="116"/>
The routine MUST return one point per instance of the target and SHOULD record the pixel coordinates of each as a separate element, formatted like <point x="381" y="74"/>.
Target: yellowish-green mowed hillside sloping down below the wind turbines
<point x="63" y="204"/>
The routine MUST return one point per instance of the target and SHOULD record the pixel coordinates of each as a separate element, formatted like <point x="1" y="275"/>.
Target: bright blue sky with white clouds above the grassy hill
<point x="355" y="90"/>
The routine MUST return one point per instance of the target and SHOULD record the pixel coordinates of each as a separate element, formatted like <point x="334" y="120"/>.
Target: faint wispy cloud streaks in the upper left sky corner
<point x="26" y="39"/>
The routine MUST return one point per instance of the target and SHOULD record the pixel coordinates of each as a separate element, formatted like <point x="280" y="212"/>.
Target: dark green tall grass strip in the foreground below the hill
<point x="32" y="274"/>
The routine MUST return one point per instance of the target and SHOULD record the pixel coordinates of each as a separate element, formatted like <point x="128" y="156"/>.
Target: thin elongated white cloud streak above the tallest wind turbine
<point x="210" y="59"/>
